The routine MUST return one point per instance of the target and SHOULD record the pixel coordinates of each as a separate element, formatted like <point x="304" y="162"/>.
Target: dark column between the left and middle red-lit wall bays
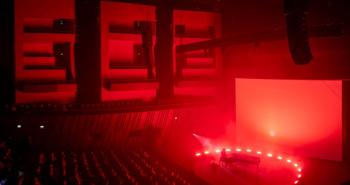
<point x="87" y="51"/>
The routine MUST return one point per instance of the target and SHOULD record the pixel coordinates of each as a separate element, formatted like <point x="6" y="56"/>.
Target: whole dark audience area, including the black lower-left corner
<point x="22" y="165"/>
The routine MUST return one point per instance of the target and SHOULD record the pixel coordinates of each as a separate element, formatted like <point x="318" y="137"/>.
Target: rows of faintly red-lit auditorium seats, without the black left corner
<point x="116" y="167"/>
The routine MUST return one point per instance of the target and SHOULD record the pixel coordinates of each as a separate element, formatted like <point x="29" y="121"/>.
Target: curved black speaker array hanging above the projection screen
<point x="297" y="30"/>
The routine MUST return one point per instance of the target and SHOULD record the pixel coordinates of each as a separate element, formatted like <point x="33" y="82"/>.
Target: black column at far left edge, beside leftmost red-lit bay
<point x="7" y="53"/>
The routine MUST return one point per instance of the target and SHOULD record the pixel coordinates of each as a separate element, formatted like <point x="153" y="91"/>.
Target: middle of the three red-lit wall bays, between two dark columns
<point x="127" y="79"/>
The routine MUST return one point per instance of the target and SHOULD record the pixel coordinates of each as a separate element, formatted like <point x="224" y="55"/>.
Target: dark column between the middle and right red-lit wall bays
<point x="164" y="49"/>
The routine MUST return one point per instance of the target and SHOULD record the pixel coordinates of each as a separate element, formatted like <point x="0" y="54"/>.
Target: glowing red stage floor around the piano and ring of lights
<point x="315" y="172"/>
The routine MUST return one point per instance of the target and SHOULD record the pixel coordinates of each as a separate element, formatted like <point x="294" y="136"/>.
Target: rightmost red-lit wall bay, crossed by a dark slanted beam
<point x="201" y="70"/>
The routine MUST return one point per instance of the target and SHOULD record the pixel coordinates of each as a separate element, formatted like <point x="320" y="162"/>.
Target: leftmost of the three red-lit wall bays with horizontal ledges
<point x="37" y="76"/>
